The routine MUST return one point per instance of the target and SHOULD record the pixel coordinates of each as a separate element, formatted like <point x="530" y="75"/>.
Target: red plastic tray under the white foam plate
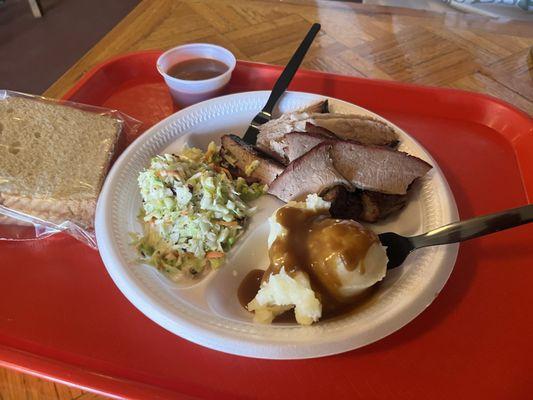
<point x="61" y="316"/>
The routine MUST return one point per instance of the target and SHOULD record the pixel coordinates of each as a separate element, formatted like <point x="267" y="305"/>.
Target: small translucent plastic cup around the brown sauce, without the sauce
<point x="187" y="92"/>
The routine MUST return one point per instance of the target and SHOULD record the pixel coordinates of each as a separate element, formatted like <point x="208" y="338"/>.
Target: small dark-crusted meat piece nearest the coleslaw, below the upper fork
<point x="250" y="163"/>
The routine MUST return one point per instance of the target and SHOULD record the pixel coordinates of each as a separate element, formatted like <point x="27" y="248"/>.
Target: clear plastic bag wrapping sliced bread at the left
<point x="54" y="156"/>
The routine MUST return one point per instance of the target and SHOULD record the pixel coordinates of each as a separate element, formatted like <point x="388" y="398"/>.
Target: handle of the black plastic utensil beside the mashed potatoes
<point x="475" y="227"/>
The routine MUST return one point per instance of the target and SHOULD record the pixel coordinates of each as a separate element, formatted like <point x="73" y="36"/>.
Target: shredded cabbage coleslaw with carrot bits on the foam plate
<point x="193" y="211"/>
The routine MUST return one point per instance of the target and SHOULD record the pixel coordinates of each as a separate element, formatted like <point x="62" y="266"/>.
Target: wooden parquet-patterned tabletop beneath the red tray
<point x="447" y="50"/>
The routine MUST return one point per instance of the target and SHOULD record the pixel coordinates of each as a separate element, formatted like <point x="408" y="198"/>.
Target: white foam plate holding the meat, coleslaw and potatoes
<point x="209" y="312"/>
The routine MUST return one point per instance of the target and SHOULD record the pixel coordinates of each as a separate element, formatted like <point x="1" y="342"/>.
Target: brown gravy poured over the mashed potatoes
<point x="314" y="241"/>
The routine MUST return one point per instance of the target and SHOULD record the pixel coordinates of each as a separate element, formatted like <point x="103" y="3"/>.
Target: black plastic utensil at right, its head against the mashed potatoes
<point x="399" y="247"/>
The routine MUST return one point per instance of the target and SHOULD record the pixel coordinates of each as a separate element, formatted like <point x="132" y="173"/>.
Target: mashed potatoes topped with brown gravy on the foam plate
<point x="316" y="261"/>
